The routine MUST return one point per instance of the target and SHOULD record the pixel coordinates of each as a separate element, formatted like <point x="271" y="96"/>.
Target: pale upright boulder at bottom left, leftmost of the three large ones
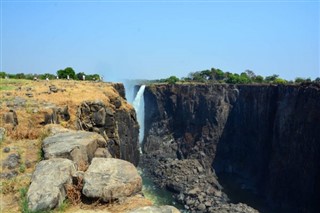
<point x="47" y="184"/>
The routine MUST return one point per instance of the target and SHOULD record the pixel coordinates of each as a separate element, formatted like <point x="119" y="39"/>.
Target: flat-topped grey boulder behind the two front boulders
<point x="79" y="146"/>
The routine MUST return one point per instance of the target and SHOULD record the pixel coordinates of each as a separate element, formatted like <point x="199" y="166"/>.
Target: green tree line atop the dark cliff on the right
<point x="218" y="76"/>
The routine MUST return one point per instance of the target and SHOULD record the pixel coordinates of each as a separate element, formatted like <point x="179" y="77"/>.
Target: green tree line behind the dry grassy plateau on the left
<point x="67" y="73"/>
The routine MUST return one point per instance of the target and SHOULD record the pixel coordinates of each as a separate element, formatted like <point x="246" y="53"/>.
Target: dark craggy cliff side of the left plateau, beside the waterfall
<point x="116" y="124"/>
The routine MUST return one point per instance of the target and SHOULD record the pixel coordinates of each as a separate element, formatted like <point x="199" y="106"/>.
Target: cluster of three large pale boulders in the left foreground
<point x="72" y="166"/>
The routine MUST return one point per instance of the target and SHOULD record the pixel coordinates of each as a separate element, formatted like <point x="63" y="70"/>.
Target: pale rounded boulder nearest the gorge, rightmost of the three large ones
<point x="110" y="179"/>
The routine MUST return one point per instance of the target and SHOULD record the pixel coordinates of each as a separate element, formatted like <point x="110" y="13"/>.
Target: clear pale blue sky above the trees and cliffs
<point x="158" y="39"/>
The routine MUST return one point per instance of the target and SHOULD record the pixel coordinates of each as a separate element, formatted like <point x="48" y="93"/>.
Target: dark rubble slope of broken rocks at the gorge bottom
<point x="196" y="188"/>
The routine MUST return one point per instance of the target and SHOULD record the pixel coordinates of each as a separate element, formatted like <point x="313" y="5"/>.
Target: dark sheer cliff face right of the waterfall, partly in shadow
<point x="266" y="136"/>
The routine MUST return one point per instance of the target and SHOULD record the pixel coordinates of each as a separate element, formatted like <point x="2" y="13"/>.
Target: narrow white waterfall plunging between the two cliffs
<point x="138" y="105"/>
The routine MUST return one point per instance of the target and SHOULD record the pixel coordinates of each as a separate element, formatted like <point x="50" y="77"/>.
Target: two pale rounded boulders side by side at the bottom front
<point x="106" y="179"/>
